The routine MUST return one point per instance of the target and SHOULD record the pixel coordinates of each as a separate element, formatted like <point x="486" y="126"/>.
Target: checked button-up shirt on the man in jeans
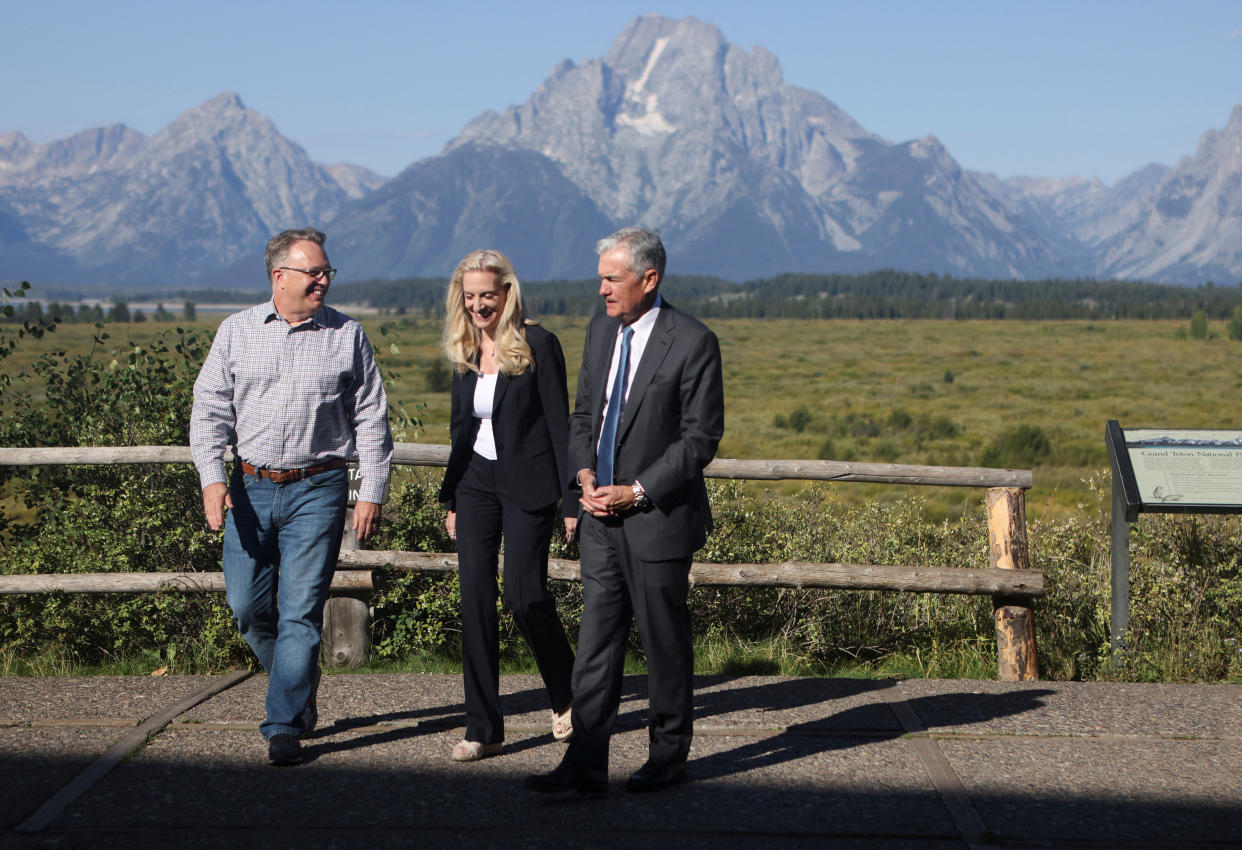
<point x="291" y="397"/>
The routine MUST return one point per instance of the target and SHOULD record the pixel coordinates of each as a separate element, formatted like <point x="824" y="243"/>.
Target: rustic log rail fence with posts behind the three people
<point x="347" y="638"/>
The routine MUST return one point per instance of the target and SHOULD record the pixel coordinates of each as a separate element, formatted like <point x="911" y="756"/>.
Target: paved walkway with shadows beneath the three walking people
<point x="177" y="762"/>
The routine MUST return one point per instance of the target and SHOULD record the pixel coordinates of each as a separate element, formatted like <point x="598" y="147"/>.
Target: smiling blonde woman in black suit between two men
<point x="507" y="470"/>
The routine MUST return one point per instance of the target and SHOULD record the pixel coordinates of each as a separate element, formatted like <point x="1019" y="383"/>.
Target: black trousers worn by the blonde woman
<point x="485" y="515"/>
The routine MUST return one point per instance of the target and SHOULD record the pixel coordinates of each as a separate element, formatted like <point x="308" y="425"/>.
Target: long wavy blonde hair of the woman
<point x="463" y="340"/>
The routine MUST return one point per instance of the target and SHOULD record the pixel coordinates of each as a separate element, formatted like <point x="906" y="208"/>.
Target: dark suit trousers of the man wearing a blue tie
<point x="619" y="587"/>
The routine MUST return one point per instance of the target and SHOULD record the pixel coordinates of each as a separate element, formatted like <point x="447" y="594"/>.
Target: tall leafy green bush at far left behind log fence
<point x="112" y="518"/>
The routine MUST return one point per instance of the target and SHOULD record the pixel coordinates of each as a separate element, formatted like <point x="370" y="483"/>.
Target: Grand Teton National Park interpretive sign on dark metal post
<point x="1164" y="470"/>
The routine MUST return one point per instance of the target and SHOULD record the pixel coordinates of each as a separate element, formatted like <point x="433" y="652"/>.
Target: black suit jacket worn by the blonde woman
<point x="531" y="424"/>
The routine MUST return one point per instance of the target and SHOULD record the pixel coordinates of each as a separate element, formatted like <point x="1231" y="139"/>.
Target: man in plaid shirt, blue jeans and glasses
<point x="294" y="387"/>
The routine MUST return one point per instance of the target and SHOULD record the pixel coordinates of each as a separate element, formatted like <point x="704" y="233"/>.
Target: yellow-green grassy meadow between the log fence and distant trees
<point x="909" y="392"/>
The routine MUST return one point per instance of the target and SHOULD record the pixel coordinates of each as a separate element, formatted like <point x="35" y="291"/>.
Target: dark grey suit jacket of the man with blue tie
<point x="670" y="428"/>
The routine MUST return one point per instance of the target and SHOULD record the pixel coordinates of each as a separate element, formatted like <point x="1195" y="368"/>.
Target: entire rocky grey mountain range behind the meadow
<point x="743" y="175"/>
